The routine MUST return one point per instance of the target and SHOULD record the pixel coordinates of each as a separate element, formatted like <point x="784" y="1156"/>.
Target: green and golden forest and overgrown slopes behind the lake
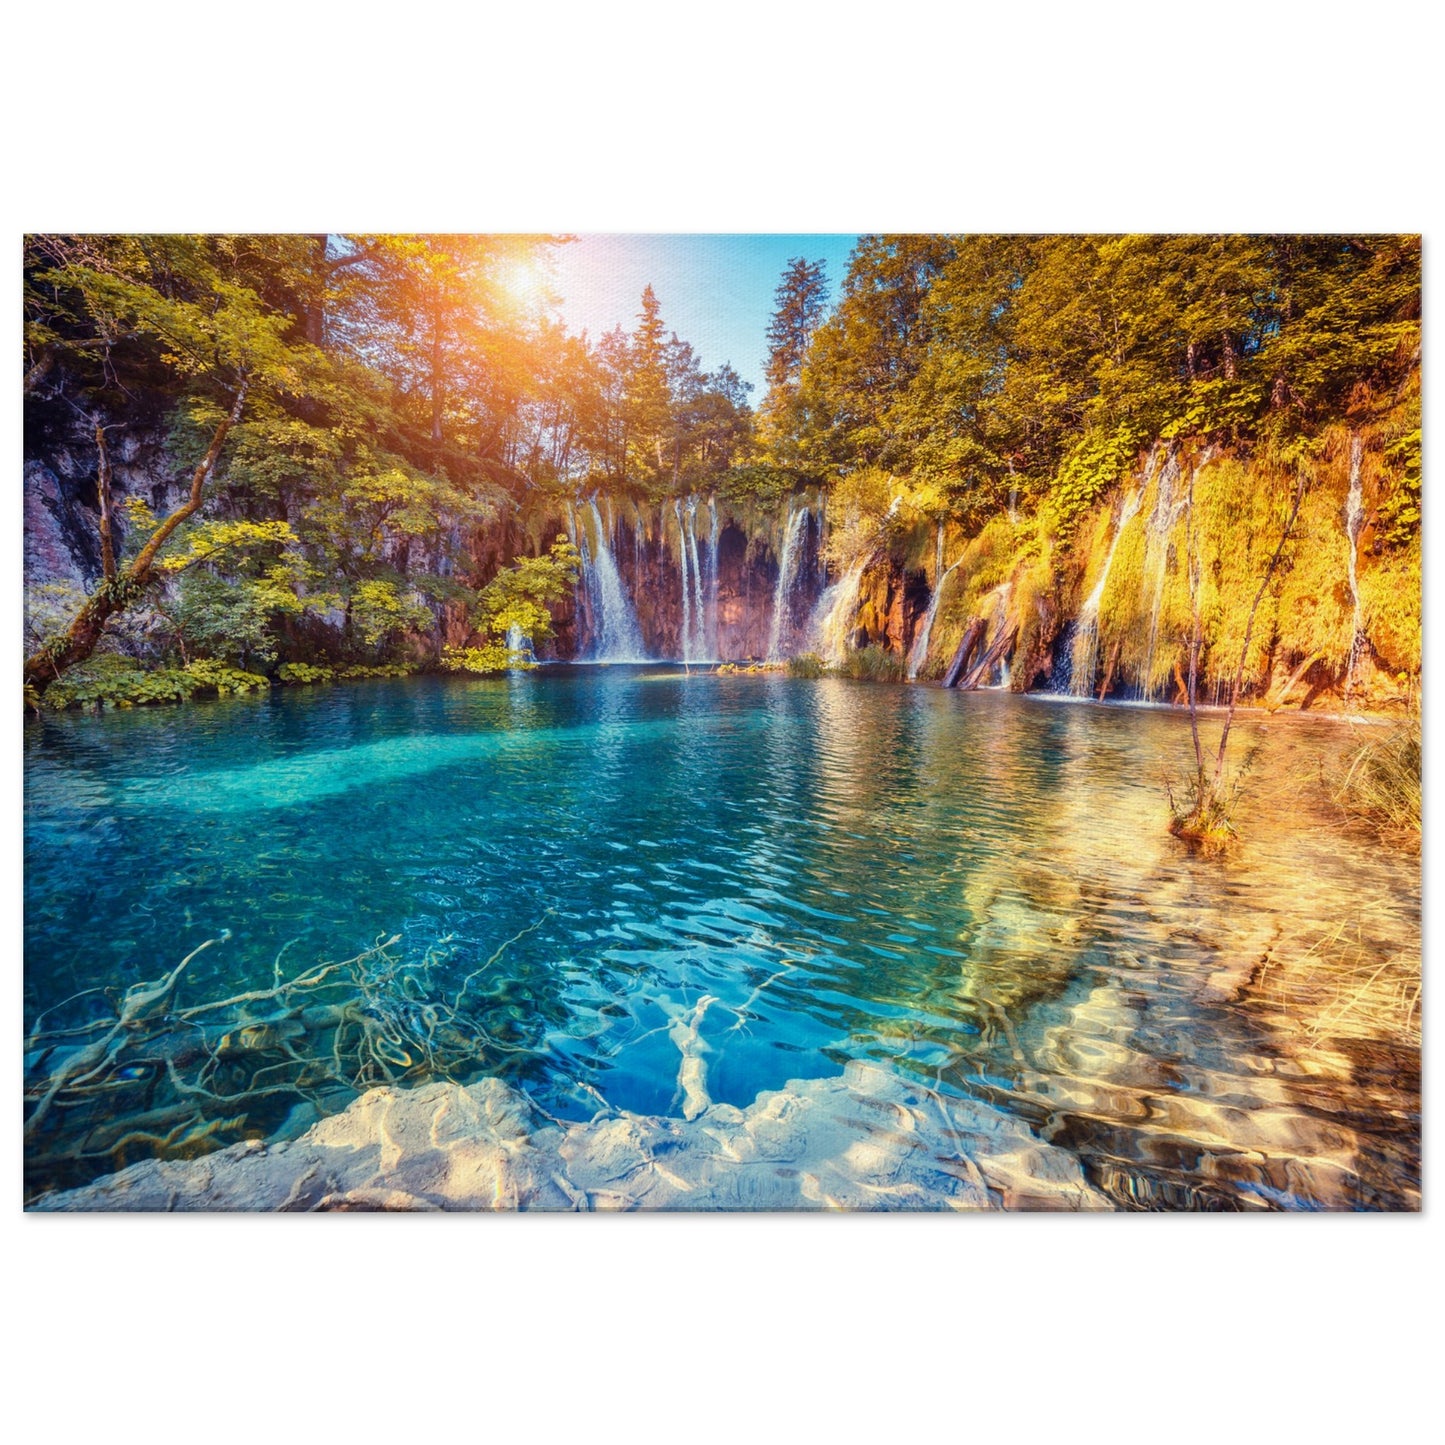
<point x="291" y="457"/>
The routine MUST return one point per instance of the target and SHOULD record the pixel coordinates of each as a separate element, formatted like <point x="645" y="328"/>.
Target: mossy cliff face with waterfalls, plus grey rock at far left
<point x="1102" y="609"/>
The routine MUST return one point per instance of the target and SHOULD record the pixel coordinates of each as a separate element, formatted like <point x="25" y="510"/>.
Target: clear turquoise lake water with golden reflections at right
<point x="975" y="889"/>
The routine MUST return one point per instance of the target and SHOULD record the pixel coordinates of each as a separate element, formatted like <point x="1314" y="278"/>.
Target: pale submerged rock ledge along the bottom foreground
<point x="866" y="1141"/>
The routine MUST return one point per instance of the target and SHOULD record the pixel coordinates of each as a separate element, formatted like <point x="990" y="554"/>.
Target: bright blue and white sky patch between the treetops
<point x="715" y="291"/>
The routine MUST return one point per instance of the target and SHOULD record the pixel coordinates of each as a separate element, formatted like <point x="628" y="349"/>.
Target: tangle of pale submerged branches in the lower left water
<point x="157" y="1080"/>
